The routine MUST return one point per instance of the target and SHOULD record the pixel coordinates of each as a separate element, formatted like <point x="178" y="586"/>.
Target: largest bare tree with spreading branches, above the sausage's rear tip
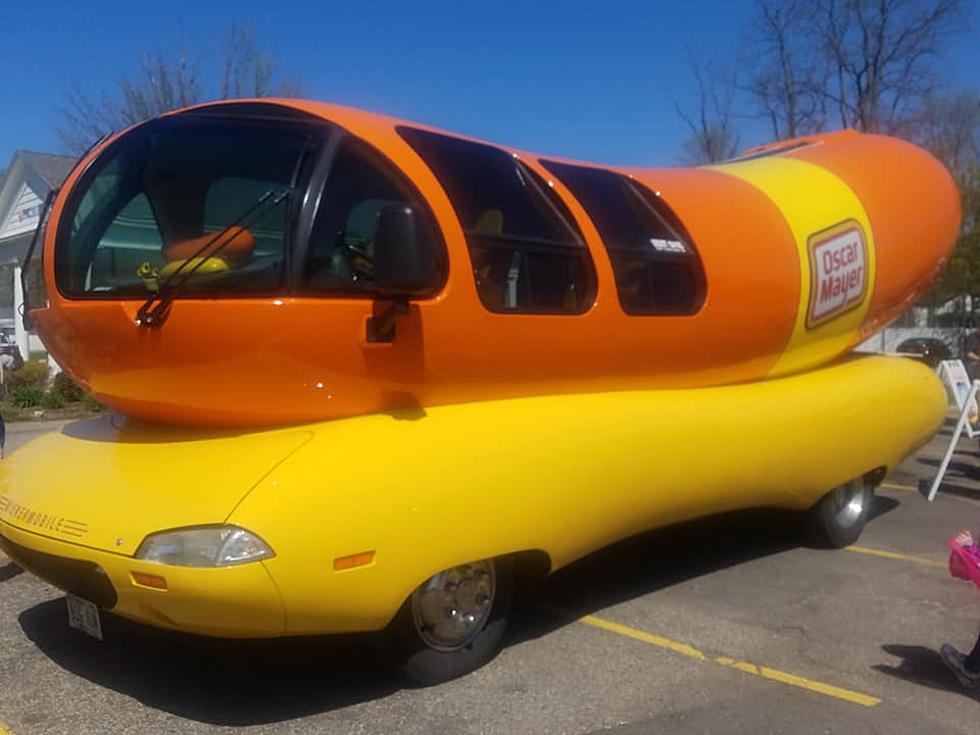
<point x="881" y="55"/>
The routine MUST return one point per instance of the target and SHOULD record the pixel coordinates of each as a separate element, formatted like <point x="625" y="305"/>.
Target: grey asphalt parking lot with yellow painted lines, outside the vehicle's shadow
<point x="727" y="625"/>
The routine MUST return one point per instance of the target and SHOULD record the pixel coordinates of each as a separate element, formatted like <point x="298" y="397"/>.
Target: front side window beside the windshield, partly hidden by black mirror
<point x="340" y="258"/>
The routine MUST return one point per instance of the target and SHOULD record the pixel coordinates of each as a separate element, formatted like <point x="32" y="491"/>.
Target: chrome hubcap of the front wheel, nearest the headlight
<point x="451" y="608"/>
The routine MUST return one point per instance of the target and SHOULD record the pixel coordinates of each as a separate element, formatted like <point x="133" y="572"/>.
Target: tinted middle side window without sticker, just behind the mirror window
<point x="526" y="253"/>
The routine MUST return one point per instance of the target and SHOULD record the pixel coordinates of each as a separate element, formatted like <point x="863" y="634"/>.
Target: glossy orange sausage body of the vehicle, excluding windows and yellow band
<point x="277" y="360"/>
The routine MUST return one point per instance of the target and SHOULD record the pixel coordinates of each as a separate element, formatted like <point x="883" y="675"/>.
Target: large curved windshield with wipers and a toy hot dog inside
<point x="156" y="198"/>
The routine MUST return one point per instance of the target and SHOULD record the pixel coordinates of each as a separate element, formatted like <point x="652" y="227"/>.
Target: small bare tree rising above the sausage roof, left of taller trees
<point x="714" y="136"/>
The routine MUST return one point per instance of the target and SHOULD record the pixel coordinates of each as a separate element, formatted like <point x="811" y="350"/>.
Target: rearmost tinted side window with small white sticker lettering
<point x="656" y="267"/>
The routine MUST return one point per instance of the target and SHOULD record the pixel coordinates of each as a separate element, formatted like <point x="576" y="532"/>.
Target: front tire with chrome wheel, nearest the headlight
<point x="430" y="654"/>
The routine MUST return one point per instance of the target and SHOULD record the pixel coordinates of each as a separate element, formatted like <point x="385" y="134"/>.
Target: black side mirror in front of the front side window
<point x="404" y="263"/>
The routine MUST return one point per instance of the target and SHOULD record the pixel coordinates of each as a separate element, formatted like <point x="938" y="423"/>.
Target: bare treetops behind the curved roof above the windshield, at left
<point x="169" y="80"/>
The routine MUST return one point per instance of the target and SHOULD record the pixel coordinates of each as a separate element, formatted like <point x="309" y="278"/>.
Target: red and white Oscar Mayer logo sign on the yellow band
<point x="838" y="272"/>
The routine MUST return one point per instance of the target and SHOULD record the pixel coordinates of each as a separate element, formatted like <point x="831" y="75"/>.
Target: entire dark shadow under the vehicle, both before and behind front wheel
<point x="241" y="683"/>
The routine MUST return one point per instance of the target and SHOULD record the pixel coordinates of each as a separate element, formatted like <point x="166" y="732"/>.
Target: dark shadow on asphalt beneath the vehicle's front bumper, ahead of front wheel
<point x="219" y="682"/>
